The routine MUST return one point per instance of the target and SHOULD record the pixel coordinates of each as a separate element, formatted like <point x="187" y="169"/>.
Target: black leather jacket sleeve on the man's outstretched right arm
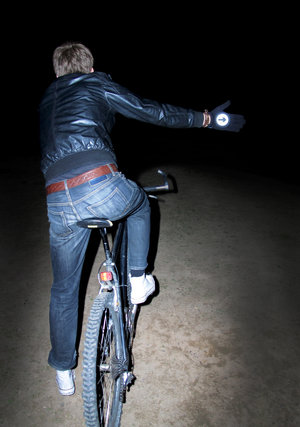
<point x="122" y="101"/>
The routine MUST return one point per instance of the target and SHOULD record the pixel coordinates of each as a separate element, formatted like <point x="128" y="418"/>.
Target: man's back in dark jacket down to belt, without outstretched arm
<point x="75" y="120"/>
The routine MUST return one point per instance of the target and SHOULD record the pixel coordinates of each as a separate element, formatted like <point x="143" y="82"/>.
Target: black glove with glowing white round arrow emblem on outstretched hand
<point x="225" y="121"/>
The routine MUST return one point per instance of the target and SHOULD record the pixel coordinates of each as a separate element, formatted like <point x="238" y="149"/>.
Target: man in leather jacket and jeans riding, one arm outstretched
<point x="77" y="114"/>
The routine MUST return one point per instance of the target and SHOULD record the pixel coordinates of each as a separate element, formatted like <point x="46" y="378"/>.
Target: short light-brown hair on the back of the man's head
<point x="72" y="57"/>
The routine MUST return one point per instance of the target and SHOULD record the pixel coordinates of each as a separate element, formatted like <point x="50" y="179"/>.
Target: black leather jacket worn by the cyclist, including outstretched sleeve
<point x="77" y="114"/>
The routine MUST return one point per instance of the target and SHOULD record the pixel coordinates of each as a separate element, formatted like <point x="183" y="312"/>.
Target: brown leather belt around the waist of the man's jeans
<point x="81" y="179"/>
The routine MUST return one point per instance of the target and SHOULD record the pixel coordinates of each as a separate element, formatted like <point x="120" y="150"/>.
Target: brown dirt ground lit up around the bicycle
<point x="219" y="343"/>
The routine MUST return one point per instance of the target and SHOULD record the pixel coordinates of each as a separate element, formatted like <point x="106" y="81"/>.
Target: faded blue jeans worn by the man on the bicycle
<point x="111" y="197"/>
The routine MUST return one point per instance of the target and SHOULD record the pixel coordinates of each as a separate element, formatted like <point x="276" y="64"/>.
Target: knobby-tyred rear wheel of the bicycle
<point x="102" y="391"/>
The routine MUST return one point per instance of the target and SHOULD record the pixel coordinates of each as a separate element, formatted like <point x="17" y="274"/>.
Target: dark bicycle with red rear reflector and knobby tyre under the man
<point x="107" y="356"/>
